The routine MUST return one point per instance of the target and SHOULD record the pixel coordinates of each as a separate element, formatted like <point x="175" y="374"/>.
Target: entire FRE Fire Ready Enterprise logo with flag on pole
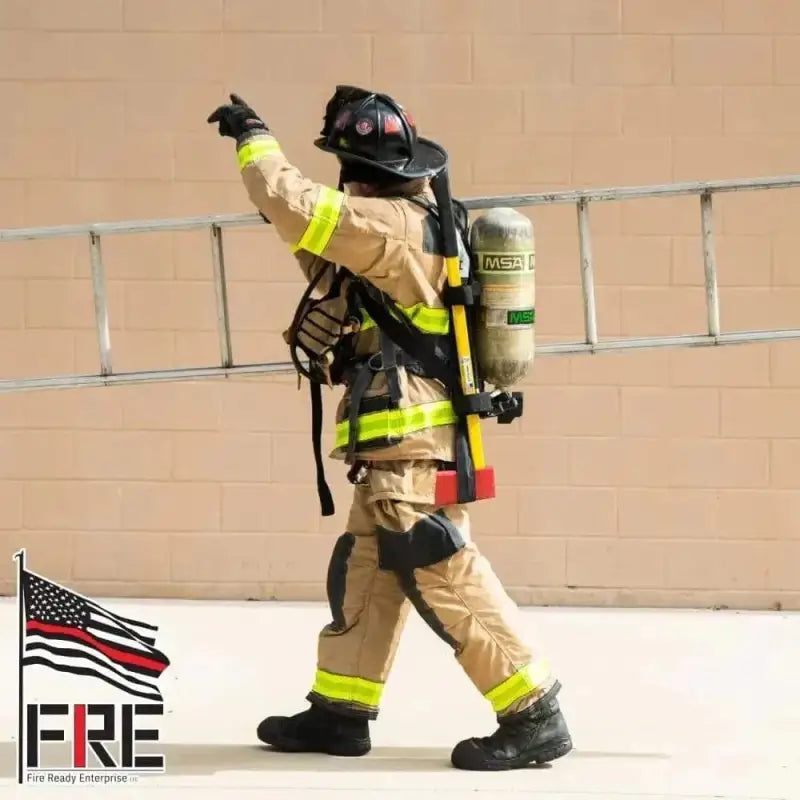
<point x="66" y="632"/>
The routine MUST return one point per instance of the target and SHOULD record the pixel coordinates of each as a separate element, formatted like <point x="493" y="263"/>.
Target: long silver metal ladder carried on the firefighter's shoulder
<point x="580" y="199"/>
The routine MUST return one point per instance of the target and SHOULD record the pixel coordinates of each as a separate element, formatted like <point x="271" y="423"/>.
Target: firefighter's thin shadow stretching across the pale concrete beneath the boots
<point x="208" y="759"/>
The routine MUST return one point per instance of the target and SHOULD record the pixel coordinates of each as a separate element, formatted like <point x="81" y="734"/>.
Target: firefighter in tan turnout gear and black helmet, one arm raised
<point x="395" y="424"/>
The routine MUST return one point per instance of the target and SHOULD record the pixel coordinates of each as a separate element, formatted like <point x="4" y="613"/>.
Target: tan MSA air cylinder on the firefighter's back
<point x="502" y="243"/>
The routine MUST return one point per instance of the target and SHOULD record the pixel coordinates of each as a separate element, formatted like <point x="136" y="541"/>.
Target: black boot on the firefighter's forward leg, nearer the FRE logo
<point x="317" y="730"/>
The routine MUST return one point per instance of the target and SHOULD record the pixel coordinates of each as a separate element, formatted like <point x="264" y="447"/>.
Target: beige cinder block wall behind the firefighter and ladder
<point x="663" y="478"/>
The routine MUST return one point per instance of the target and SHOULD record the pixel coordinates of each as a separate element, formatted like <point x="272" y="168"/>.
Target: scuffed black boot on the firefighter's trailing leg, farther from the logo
<point x="537" y="734"/>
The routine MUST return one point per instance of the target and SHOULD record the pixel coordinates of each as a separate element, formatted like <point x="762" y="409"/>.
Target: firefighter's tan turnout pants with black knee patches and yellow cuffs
<point x="399" y="551"/>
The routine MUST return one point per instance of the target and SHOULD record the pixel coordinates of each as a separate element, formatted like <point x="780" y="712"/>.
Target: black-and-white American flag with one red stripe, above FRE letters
<point x="70" y="633"/>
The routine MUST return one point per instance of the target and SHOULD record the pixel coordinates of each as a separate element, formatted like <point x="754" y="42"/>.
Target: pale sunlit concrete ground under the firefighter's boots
<point x="661" y="704"/>
